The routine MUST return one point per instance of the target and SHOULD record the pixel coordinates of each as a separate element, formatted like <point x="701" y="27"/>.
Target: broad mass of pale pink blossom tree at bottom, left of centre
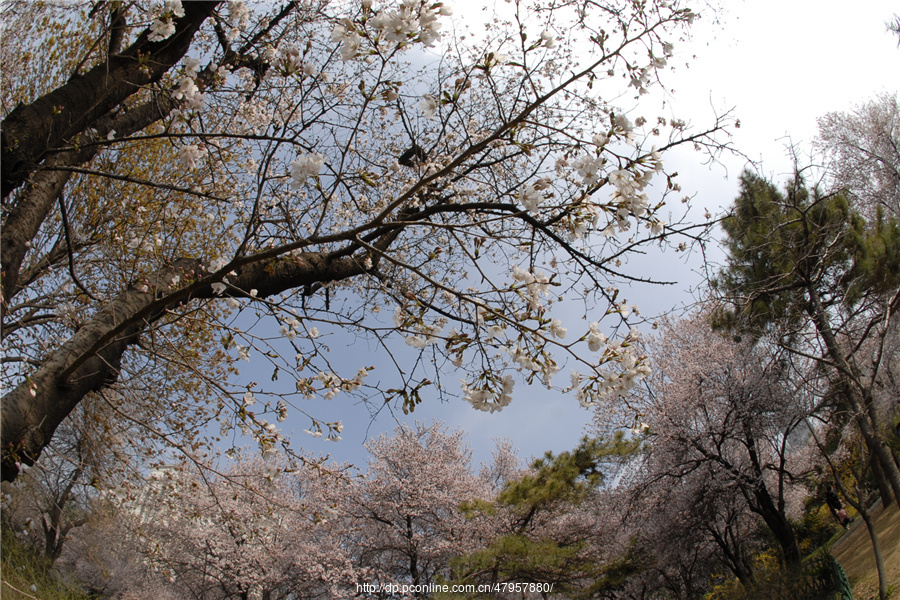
<point x="259" y="529"/>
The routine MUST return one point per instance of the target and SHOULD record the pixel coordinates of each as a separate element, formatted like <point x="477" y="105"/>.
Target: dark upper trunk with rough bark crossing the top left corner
<point x="46" y="181"/>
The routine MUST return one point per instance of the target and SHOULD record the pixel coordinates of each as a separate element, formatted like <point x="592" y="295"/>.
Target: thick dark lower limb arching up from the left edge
<point x="91" y="358"/>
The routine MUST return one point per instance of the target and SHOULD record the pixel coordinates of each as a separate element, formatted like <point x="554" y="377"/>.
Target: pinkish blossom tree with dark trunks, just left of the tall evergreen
<point x="723" y="411"/>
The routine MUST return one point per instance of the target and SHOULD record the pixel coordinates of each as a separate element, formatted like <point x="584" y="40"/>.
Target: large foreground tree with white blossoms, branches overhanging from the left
<point x="175" y="173"/>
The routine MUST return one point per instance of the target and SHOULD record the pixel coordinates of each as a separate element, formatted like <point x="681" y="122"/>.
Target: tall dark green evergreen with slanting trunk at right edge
<point x="806" y="269"/>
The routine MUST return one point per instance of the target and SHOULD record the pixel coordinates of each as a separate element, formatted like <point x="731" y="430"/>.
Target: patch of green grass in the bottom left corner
<point x="21" y="568"/>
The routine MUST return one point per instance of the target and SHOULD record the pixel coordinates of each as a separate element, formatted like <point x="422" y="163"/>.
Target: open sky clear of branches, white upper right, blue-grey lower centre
<point x="781" y="64"/>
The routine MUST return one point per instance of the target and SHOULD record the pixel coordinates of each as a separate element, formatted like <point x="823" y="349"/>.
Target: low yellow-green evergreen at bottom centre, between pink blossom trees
<point x="552" y="534"/>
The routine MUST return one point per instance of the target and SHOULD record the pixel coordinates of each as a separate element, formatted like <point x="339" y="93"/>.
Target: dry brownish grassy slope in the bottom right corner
<point x="854" y="552"/>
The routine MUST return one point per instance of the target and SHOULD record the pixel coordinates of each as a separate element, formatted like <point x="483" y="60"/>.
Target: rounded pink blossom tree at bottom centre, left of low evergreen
<point x="404" y="518"/>
